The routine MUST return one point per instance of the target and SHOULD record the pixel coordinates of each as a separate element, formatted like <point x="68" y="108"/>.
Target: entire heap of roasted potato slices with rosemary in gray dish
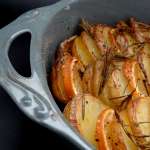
<point x="103" y="77"/>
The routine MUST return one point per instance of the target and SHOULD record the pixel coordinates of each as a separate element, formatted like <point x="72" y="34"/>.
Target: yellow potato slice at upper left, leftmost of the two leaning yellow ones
<point x="80" y="51"/>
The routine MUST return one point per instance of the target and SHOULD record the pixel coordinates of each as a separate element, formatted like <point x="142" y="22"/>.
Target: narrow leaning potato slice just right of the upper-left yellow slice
<point x="91" y="45"/>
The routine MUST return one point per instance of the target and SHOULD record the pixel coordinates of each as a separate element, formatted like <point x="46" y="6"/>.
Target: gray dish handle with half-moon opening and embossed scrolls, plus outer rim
<point x="29" y="93"/>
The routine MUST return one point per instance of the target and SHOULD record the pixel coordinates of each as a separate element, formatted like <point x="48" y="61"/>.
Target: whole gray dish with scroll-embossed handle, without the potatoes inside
<point x="48" y="26"/>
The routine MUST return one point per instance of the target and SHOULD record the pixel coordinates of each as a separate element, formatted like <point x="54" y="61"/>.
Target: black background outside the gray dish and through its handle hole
<point x="17" y="132"/>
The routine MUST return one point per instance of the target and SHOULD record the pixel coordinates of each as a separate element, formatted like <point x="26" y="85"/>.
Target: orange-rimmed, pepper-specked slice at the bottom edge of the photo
<point x="110" y="133"/>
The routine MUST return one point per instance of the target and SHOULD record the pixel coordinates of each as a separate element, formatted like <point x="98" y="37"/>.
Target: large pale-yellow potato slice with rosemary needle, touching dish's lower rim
<point x="82" y="112"/>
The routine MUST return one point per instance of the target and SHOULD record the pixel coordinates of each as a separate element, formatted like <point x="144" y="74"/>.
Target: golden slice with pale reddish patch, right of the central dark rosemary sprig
<point x="116" y="87"/>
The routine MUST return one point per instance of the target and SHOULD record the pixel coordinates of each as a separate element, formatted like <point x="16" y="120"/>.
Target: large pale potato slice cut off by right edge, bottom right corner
<point x="139" y="118"/>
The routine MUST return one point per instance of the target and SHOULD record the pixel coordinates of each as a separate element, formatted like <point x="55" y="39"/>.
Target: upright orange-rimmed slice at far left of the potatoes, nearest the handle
<point x="71" y="69"/>
